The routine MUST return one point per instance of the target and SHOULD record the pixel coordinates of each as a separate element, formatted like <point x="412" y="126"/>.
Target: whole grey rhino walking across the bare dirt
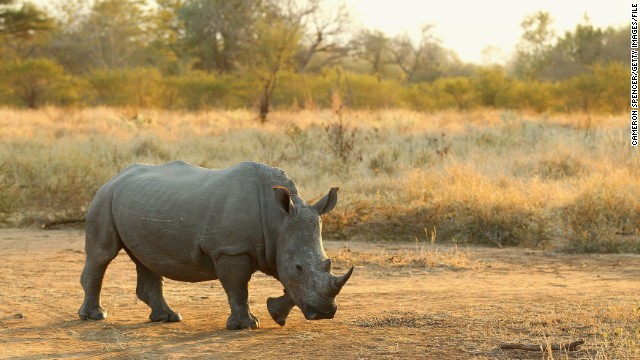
<point x="193" y="224"/>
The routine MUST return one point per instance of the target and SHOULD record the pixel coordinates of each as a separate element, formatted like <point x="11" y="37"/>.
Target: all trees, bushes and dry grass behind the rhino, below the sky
<point x="424" y="146"/>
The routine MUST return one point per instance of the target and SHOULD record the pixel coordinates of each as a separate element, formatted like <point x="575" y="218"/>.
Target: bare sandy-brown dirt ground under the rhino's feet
<point x="385" y="311"/>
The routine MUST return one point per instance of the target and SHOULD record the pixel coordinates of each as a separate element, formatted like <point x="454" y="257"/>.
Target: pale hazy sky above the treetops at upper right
<point x="467" y="26"/>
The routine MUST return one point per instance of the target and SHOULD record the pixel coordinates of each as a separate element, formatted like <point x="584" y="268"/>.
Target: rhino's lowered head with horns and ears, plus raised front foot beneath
<point x="303" y="267"/>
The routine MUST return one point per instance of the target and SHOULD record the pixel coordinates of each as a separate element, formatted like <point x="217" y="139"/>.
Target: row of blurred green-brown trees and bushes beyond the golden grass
<point x="288" y="55"/>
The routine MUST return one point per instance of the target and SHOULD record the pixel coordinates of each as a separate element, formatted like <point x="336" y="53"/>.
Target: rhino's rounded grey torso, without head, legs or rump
<point x="176" y="218"/>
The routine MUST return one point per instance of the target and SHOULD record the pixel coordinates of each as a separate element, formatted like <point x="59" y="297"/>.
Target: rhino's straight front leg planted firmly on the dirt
<point x="234" y="273"/>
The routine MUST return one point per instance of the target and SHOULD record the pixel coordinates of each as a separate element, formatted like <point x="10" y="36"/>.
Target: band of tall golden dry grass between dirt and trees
<point x="485" y="176"/>
